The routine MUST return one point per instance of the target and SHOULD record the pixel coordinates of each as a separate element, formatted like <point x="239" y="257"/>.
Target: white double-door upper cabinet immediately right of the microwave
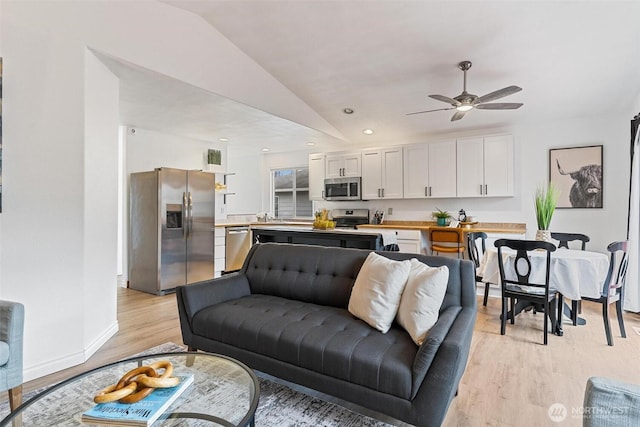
<point x="382" y="174"/>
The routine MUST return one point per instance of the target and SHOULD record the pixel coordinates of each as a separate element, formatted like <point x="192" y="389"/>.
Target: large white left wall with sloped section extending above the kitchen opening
<point x="54" y="164"/>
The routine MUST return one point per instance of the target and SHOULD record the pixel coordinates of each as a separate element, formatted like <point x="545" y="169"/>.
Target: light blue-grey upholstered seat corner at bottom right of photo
<point x="609" y="402"/>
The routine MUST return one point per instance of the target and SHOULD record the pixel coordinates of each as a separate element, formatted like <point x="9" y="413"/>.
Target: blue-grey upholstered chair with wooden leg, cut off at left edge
<point x="11" y="339"/>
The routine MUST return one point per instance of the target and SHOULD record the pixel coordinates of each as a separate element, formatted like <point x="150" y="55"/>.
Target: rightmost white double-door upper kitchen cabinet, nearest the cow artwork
<point x="485" y="166"/>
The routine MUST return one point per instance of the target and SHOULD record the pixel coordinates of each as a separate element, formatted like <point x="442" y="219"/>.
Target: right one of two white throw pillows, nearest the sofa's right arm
<point x="422" y="298"/>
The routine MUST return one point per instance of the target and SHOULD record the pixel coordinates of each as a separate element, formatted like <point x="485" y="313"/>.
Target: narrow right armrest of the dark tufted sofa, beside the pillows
<point x="431" y="344"/>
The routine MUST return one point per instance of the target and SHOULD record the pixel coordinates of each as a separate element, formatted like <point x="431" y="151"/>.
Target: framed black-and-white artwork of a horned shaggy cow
<point x="577" y="173"/>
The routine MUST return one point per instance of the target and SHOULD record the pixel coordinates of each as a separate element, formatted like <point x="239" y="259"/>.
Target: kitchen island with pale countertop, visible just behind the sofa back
<point x="306" y="235"/>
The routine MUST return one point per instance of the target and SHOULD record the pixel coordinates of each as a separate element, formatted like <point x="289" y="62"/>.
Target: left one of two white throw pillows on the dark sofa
<point x="376" y="293"/>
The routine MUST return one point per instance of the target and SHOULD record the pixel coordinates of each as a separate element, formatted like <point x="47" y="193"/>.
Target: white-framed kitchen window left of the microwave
<point x="291" y="193"/>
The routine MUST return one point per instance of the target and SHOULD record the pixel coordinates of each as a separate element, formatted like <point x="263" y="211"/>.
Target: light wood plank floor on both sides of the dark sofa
<point x="510" y="380"/>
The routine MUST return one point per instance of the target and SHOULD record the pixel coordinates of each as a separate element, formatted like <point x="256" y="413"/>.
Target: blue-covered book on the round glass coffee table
<point x="142" y="413"/>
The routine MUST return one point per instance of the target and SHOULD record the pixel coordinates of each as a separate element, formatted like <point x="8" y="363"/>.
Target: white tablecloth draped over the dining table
<point x="573" y="272"/>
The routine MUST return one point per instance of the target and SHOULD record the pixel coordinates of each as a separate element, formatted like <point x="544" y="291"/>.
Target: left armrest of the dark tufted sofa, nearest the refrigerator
<point x="193" y="298"/>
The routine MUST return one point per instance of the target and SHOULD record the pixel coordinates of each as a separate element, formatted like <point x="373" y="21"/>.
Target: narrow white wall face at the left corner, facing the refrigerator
<point x="101" y="150"/>
